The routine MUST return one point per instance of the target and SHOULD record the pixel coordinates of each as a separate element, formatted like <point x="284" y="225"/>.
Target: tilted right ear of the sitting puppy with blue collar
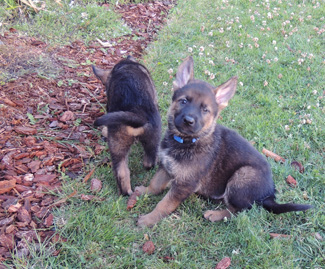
<point x="225" y="92"/>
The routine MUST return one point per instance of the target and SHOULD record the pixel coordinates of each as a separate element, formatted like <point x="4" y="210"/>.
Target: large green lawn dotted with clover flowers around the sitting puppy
<point x="104" y="235"/>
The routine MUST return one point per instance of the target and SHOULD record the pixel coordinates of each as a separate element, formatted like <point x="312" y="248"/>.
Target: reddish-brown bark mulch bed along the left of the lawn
<point x="47" y="109"/>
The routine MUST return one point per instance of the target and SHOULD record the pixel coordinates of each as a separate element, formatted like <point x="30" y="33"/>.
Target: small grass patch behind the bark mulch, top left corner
<point x="61" y="24"/>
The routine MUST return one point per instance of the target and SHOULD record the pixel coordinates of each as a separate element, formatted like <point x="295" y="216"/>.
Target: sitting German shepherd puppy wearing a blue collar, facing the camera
<point x="199" y="156"/>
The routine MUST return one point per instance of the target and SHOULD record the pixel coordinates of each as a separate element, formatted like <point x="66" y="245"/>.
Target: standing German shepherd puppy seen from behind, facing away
<point x="132" y="115"/>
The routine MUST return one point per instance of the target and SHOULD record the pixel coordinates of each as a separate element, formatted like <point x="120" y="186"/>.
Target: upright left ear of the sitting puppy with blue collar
<point x="184" y="73"/>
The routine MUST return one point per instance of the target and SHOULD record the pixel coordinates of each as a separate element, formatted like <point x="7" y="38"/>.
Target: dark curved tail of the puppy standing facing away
<point x="121" y="118"/>
